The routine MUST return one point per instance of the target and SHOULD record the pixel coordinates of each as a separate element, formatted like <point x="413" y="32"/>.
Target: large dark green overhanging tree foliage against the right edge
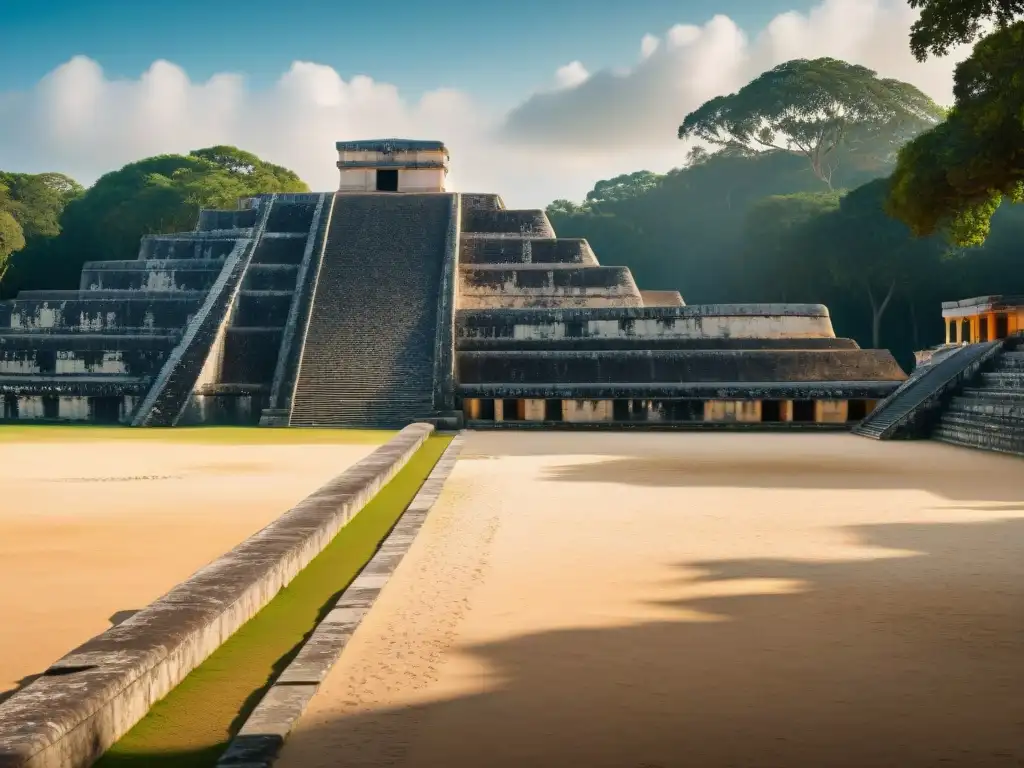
<point x="954" y="178"/>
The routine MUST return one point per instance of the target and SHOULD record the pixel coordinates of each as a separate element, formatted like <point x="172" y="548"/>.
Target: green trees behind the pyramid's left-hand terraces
<point x="154" y="196"/>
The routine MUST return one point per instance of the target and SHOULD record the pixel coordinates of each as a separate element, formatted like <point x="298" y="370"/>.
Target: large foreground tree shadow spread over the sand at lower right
<point x="913" y="658"/>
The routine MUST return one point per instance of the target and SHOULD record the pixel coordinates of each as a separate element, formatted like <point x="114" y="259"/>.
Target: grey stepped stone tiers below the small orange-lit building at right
<point x="989" y="413"/>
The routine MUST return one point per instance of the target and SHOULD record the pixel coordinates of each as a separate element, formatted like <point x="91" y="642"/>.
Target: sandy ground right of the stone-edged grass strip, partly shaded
<point x="706" y="601"/>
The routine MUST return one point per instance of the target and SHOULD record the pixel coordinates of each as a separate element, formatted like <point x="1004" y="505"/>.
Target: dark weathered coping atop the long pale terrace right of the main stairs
<point x="538" y="317"/>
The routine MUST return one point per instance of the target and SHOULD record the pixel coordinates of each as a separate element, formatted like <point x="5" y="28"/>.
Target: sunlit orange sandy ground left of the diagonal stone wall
<point x="93" y="531"/>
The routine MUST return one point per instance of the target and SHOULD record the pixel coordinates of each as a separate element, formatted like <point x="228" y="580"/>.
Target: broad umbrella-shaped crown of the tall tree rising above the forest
<point x="812" y="109"/>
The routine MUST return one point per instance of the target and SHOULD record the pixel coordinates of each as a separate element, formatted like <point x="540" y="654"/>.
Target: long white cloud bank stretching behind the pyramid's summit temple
<point x="553" y="145"/>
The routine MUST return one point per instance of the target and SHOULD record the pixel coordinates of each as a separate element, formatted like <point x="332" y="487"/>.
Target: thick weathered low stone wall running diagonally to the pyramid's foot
<point x="89" y="700"/>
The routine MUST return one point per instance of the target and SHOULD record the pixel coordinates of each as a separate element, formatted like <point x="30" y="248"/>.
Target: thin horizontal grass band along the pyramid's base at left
<point x="209" y="436"/>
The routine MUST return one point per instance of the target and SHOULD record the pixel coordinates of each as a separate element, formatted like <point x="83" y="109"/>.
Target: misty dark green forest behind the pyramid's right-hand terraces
<point x="761" y="229"/>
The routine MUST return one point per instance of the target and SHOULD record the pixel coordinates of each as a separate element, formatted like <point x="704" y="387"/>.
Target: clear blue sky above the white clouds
<point x="491" y="50"/>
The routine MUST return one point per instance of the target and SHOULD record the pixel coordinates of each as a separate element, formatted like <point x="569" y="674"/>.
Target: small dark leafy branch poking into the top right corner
<point x="945" y="24"/>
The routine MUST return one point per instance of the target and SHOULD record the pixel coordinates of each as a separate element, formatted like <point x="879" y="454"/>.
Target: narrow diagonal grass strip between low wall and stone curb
<point x="192" y="727"/>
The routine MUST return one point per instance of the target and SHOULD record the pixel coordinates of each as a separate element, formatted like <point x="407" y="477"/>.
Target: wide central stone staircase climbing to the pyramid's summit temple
<point x="368" y="360"/>
